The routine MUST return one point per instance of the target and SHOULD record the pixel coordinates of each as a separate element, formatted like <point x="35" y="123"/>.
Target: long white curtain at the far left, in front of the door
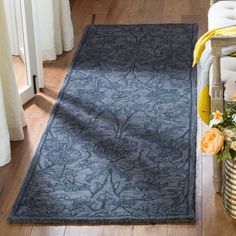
<point x="11" y="113"/>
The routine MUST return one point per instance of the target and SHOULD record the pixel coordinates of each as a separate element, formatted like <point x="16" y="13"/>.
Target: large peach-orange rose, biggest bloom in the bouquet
<point x="212" y="141"/>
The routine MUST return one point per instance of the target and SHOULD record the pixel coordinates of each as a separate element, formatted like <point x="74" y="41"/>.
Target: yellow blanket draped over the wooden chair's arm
<point x="204" y="108"/>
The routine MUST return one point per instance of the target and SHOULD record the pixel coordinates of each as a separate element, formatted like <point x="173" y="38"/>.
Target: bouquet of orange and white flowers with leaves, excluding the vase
<point x="220" y="140"/>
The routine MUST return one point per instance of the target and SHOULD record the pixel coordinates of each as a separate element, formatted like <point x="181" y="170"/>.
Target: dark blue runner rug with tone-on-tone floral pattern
<point x="120" y="146"/>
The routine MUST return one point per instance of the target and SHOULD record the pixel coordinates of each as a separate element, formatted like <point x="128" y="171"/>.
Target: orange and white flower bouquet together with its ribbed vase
<point x="220" y="140"/>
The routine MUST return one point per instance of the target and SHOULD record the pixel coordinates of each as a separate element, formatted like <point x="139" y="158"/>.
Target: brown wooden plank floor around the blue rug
<point x="211" y="219"/>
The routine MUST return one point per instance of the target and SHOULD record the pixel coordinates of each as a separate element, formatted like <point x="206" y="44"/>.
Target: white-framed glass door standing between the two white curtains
<point x="26" y="58"/>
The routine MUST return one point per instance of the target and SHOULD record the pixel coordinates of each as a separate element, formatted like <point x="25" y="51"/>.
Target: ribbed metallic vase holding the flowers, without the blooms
<point x="229" y="188"/>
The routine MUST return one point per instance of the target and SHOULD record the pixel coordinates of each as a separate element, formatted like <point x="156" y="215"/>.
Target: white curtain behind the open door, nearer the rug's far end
<point x="55" y="27"/>
